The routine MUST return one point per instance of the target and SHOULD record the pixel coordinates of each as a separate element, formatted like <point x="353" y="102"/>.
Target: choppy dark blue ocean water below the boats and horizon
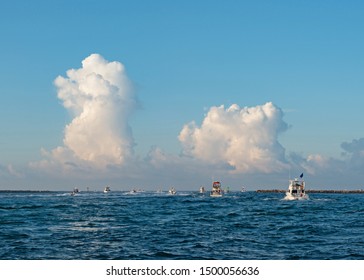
<point x="158" y="226"/>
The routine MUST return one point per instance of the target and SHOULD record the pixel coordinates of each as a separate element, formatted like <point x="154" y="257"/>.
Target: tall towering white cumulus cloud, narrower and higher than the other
<point x="100" y="99"/>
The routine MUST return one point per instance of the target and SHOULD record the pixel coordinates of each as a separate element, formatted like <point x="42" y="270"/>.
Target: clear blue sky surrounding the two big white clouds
<point x="184" y="58"/>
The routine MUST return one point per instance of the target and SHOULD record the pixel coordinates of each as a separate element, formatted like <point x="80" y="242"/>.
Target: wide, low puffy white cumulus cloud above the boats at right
<point x="244" y="138"/>
